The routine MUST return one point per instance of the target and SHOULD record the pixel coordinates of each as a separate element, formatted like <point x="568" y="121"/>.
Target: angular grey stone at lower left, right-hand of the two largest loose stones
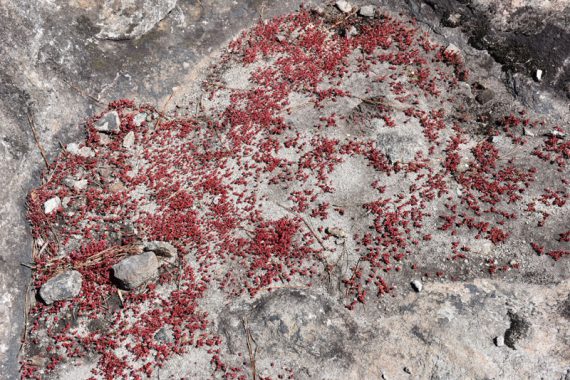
<point x="134" y="271"/>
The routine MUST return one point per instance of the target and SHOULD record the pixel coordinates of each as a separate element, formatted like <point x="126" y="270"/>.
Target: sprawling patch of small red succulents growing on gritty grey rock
<point x="199" y="182"/>
